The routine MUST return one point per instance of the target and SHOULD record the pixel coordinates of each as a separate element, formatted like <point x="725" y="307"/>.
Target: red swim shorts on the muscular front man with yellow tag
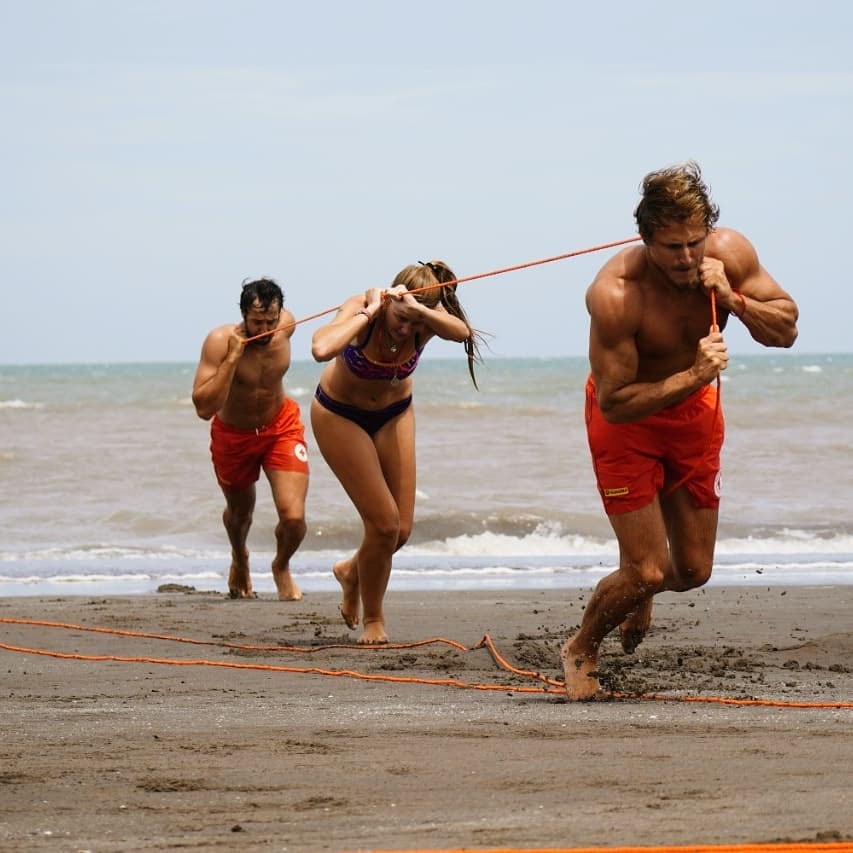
<point x="679" y="445"/>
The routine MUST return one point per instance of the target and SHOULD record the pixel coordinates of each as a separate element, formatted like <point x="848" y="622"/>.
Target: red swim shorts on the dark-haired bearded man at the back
<point x="239" y="454"/>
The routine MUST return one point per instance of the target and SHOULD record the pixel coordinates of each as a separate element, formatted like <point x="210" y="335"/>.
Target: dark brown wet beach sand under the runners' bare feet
<point x="217" y="746"/>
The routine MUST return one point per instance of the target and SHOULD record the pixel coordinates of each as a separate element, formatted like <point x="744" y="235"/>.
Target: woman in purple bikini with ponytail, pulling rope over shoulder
<point x="364" y="423"/>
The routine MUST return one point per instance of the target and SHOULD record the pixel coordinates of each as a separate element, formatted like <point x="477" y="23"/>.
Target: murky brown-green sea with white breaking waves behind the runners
<point x="107" y="486"/>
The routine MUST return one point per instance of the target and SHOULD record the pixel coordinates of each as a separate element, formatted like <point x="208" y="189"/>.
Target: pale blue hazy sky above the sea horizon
<point x="155" y="154"/>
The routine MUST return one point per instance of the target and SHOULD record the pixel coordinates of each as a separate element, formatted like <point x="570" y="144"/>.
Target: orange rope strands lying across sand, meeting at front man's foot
<point x="550" y="686"/>
